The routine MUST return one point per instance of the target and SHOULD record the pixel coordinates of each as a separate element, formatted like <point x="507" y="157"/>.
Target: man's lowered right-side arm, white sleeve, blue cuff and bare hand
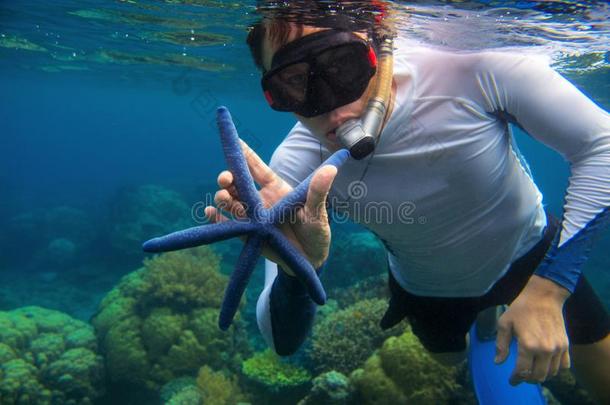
<point x="552" y="110"/>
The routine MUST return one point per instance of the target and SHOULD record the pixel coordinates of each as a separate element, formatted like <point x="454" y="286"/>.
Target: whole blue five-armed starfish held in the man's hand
<point x="259" y="226"/>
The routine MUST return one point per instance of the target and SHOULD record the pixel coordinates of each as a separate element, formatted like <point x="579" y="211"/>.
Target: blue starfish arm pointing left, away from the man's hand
<point x="199" y="235"/>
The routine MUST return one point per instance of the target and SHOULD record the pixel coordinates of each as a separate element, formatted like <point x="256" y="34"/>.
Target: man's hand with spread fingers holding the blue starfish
<point x="309" y="231"/>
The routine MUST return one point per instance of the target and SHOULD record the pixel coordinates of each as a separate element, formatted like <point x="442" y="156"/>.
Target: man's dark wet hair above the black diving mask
<point x="276" y="20"/>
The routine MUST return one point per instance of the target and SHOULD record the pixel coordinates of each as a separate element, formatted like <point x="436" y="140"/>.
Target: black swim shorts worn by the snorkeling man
<point x="441" y="323"/>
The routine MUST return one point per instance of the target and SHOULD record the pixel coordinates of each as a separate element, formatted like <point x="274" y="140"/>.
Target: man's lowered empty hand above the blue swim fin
<point x="535" y="318"/>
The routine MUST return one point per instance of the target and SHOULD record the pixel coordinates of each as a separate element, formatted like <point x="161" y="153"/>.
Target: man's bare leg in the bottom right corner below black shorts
<point x="591" y="364"/>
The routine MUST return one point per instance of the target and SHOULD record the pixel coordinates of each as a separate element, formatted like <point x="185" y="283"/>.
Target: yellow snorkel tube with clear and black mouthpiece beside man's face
<point x="360" y="135"/>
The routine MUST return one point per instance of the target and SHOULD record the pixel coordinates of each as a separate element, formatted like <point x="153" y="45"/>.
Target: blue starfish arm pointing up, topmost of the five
<point x="237" y="162"/>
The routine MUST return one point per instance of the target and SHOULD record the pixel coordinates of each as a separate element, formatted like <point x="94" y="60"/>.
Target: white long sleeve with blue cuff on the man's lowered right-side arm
<point x="549" y="108"/>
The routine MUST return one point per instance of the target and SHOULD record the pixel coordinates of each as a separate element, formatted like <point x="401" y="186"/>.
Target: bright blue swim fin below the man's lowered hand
<point x="491" y="381"/>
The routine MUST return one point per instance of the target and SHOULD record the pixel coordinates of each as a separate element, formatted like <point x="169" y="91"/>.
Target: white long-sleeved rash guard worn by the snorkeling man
<point x="446" y="189"/>
